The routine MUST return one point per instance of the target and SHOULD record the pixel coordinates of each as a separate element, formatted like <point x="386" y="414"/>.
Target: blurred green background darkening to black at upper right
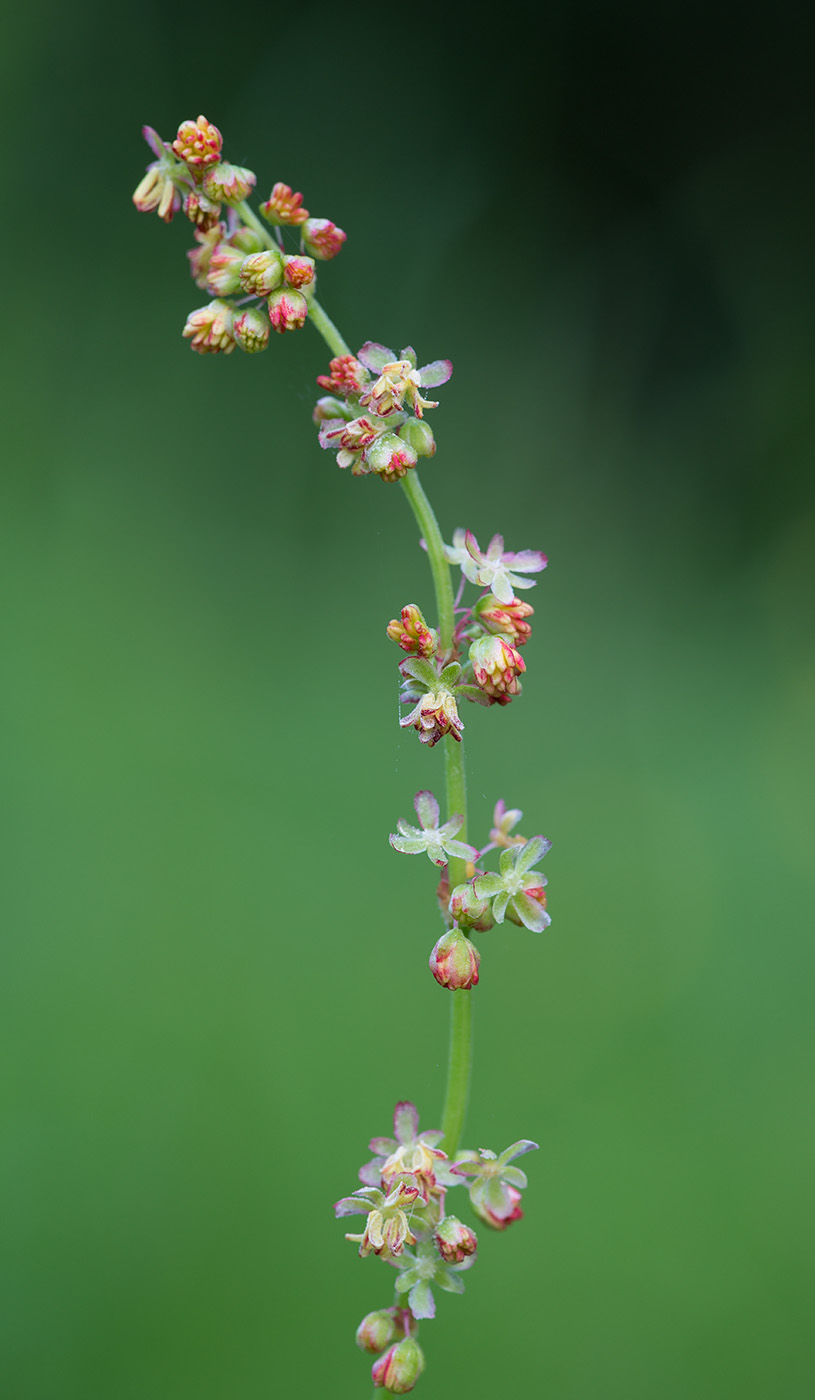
<point x="215" y="968"/>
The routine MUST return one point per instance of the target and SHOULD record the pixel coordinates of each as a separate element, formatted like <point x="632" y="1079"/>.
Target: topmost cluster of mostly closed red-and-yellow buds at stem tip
<point x="235" y="255"/>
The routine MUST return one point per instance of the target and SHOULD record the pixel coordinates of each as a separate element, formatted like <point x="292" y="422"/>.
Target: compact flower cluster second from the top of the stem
<point x="376" y="425"/>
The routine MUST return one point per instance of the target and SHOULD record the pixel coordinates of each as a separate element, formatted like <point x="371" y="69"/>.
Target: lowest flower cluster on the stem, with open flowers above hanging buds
<point x="408" y="1226"/>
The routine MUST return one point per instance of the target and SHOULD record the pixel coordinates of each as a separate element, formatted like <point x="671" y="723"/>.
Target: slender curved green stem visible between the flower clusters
<point x="460" y="1060"/>
